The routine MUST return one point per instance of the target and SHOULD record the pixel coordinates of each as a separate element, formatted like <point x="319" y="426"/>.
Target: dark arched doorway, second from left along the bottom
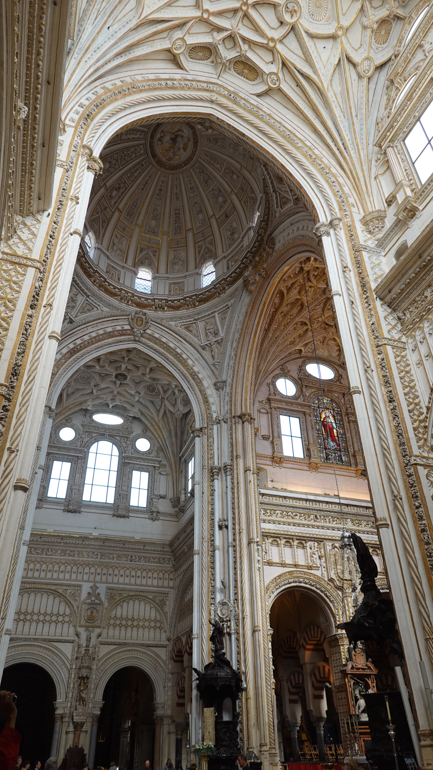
<point x="126" y="727"/>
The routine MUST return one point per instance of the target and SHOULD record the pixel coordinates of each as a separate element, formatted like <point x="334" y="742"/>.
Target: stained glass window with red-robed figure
<point x="330" y="431"/>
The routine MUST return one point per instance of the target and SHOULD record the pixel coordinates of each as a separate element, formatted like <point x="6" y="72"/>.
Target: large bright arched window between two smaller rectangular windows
<point x="101" y="473"/>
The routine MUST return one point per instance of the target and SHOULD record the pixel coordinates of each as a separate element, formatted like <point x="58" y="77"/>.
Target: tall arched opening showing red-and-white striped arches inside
<point x="308" y="719"/>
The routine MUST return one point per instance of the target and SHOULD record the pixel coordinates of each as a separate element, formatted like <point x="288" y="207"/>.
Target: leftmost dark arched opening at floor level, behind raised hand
<point x="36" y="693"/>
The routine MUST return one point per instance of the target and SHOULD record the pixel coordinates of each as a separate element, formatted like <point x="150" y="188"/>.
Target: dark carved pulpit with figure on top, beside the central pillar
<point x="219" y="686"/>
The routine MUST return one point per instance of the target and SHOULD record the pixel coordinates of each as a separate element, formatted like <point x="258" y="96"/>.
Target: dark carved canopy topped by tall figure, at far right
<point x="374" y="620"/>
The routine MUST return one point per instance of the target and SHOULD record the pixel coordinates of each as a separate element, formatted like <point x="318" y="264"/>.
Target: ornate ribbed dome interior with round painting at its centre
<point x="173" y="196"/>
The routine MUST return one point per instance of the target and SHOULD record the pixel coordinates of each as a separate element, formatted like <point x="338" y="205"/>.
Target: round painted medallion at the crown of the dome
<point x="173" y="146"/>
